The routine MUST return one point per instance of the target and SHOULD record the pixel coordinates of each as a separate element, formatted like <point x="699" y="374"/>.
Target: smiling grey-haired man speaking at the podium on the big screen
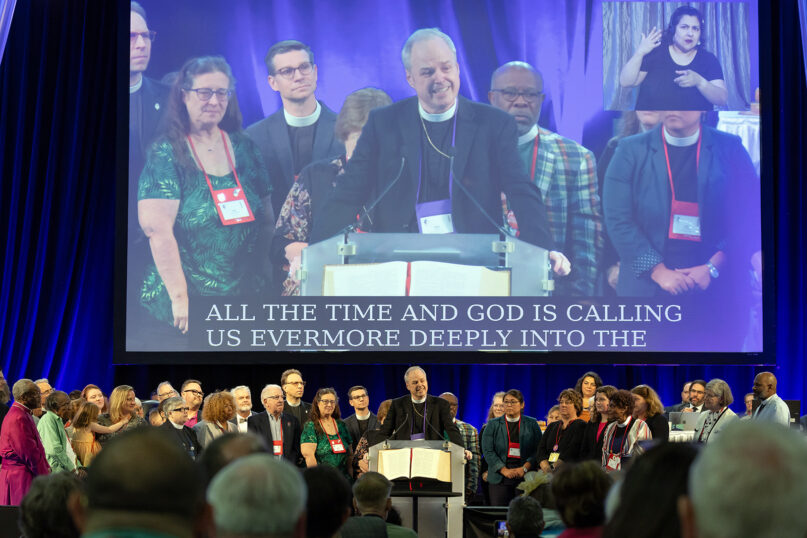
<point x="427" y="146"/>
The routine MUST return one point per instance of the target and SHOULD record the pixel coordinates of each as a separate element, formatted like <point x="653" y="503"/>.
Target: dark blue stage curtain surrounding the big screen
<point x="57" y="160"/>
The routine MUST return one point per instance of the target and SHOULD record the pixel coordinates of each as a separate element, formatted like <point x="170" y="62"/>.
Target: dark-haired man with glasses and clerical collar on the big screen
<point x="302" y="131"/>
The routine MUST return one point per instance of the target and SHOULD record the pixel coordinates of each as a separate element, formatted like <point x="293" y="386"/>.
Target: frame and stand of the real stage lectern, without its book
<point x="435" y="512"/>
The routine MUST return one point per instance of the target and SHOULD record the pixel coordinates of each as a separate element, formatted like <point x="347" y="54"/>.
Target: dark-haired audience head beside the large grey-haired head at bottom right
<point x="648" y="497"/>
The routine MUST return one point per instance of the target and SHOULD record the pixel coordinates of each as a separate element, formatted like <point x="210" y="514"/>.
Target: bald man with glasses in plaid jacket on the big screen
<point x="564" y="171"/>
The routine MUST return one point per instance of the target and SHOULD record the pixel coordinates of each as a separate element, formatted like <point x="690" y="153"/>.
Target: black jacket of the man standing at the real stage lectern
<point x="438" y="414"/>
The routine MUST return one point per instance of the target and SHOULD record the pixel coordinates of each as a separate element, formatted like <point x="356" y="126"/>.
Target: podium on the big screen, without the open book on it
<point x="529" y="266"/>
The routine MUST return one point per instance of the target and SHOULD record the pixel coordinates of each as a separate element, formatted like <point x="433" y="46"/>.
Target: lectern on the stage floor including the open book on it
<point x="426" y="501"/>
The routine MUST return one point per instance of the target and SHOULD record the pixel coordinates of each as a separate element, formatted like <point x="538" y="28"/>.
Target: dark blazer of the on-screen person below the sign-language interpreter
<point x="636" y="202"/>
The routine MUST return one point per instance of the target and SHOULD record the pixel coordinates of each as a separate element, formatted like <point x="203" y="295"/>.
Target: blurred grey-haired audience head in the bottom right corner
<point x="751" y="459"/>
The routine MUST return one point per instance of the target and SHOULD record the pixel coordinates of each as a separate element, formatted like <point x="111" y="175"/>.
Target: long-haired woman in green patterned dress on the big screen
<point x="202" y="198"/>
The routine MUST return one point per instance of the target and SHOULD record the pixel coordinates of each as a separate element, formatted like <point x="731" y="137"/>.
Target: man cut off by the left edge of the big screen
<point x="147" y="101"/>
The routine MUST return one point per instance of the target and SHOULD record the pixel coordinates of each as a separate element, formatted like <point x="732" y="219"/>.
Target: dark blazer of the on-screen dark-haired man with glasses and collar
<point x="272" y="137"/>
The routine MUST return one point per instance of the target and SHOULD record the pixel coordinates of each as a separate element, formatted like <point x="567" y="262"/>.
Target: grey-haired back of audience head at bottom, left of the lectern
<point x="257" y="495"/>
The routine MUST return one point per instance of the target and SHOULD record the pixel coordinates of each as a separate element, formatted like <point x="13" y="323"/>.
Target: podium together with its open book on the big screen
<point x="447" y="265"/>
